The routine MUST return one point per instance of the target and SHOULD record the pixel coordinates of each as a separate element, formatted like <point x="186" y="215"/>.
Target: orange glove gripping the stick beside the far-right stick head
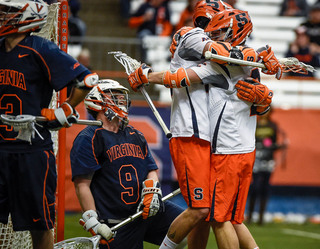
<point x="270" y="61"/>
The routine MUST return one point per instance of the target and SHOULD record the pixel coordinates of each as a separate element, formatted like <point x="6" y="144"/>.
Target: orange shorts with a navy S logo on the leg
<point x="191" y="159"/>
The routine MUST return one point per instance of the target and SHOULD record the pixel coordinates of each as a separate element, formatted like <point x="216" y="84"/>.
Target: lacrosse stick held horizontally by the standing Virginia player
<point x="25" y="125"/>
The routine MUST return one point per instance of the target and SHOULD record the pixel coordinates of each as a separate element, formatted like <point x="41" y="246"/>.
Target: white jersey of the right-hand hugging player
<point x="232" y="127"/>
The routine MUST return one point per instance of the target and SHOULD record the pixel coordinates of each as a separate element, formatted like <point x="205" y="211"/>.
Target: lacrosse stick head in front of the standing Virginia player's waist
<point x="24" y="124"/>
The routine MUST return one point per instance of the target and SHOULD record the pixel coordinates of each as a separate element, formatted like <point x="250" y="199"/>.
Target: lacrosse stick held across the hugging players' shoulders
<point x="290" y="64"/>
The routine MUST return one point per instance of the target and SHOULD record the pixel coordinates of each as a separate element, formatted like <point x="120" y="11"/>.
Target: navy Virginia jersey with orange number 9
<point x="120" y="163"/>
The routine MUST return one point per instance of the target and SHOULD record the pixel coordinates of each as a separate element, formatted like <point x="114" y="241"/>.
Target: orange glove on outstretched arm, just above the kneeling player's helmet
<point x="139" y="77"/>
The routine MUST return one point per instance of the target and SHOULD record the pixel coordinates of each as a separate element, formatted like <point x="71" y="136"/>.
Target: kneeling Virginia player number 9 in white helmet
<point x="115" y="174"/>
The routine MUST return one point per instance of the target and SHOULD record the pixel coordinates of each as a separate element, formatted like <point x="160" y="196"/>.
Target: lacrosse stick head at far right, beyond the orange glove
<point x="292" y="64"/>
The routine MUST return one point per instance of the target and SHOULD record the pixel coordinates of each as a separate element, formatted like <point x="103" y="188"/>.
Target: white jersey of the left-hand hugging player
<point x="189" y="114"/>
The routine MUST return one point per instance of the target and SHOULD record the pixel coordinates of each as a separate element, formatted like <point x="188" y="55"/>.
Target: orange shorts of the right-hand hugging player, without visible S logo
<point x="231" y="179"/>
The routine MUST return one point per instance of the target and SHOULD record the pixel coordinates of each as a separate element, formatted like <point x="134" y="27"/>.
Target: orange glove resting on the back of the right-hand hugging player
<point x="253" y="91"/>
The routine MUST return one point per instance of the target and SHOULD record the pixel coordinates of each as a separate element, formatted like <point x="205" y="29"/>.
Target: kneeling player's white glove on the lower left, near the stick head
<point x="91" y="224"/>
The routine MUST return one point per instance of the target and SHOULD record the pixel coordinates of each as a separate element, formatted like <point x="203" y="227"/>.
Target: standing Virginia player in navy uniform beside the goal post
<point x="32" y="67"/>
